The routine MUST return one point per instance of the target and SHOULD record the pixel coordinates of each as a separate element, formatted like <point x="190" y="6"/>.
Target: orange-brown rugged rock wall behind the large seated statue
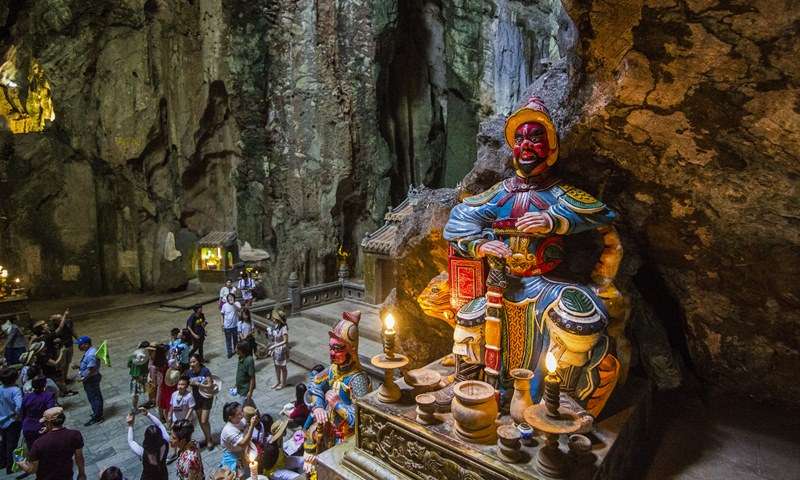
<point x="689" y="123"/>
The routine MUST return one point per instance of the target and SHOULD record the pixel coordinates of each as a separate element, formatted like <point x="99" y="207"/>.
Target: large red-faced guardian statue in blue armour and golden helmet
<point x="518" y="225"/>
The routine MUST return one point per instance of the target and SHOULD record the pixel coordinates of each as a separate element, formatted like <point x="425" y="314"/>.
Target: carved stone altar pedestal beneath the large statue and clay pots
<point x="390" y="444"/>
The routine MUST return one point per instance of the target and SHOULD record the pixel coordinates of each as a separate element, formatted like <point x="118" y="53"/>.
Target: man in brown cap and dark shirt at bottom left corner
<point x="53" y="453"/>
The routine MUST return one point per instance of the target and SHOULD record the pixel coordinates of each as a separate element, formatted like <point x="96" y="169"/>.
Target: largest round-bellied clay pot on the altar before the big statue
<point x="474" y="411"/>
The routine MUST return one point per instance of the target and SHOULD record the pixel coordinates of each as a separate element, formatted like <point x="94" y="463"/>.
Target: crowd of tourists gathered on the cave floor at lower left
<point x="172" y="390"/>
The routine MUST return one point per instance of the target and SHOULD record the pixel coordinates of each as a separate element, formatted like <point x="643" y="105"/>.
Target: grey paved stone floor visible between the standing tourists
<point x="106" y="443"/>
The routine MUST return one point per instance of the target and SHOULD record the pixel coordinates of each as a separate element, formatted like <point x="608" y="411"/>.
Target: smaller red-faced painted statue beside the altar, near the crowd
<point x="333" y="391"/>
